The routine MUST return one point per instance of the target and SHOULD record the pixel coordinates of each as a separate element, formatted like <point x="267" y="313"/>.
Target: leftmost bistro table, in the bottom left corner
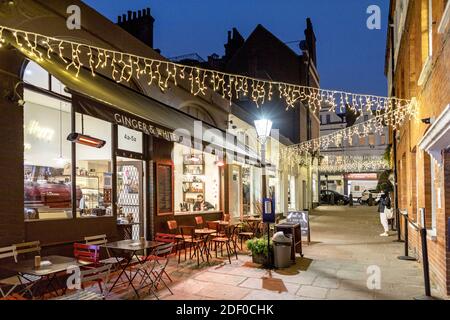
<point x="48" y="271"/>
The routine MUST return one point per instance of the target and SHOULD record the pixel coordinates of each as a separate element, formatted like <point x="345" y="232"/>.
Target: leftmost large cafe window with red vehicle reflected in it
<point x="47" y="154"/>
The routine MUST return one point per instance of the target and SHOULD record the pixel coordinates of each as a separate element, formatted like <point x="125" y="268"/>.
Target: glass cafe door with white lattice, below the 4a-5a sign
<point x="130" y="194"/>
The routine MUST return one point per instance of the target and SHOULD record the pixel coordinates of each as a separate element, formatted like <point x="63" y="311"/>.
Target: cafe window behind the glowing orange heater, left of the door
<point x="94" y="169"/>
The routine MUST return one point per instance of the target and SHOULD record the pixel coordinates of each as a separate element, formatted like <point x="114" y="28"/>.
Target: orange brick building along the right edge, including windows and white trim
<point x="418" y="66"/>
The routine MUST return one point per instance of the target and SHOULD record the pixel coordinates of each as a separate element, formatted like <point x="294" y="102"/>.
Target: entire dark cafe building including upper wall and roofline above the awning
<point x="59" y="191"/>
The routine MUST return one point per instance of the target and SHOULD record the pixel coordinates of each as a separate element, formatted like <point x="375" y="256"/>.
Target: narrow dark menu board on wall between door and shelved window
<point x="164" y="187"/>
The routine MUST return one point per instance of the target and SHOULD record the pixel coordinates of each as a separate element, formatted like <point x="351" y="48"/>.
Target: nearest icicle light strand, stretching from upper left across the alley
<point x="124" y="66"/>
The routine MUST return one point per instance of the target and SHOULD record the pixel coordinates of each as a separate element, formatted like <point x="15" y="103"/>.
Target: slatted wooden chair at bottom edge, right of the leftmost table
<point x="99" y="275"/>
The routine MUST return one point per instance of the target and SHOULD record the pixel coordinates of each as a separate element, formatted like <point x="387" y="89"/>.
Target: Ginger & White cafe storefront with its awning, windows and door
<point x="150" y="169"/>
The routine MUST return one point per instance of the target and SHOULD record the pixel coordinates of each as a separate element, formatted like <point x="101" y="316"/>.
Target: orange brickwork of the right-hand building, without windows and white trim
<point x="433" y="96"/>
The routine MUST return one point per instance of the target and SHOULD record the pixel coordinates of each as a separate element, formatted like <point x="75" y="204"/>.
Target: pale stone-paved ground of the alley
<point x="346" y="243"/>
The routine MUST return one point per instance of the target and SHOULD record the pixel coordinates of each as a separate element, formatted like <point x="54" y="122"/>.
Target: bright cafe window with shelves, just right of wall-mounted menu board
<point x="197" y="180"/>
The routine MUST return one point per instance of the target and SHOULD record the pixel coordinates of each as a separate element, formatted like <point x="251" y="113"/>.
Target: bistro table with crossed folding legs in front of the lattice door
<point x="132" y="247"/>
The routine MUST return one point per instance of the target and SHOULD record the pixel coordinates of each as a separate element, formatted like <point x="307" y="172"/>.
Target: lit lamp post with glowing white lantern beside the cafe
<point x="263" y="128"/>
